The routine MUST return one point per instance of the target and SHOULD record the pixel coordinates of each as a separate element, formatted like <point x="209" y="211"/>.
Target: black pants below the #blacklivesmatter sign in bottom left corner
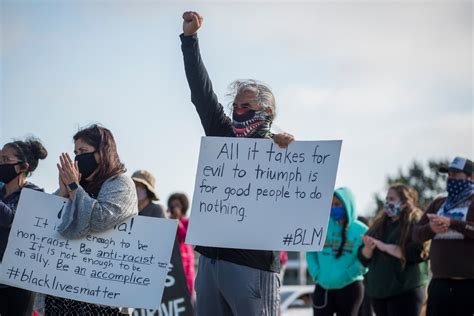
<point x="16" y="302"/>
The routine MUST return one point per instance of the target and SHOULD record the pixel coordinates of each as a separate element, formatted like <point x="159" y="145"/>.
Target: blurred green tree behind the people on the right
<point x="424" y="178"/>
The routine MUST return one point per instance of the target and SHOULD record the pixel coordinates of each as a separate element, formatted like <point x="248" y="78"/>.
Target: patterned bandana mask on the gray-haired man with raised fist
<point x="251" y="123"/>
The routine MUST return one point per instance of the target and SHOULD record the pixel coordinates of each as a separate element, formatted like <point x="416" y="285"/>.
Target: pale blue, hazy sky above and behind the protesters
<point x="392" y="79"/>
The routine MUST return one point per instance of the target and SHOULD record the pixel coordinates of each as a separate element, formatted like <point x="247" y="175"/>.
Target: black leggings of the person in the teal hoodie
<point x="343" y="302"/>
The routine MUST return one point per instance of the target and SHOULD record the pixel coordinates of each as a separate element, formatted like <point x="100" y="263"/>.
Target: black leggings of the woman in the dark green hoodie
<point x="408" y="303"/>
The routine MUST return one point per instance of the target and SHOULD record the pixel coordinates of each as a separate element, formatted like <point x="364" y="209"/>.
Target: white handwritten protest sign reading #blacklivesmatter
<point x="125" y="266"/>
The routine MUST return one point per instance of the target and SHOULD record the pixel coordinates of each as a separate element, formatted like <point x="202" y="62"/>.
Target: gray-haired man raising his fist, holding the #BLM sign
<point x="232" y="281"/>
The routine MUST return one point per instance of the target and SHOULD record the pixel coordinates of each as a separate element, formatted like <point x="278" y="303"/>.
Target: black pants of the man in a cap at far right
<point x="450" y="297"/>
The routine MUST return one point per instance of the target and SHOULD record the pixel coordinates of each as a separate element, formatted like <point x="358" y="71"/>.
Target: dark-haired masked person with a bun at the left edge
<point x="18" y="160"/>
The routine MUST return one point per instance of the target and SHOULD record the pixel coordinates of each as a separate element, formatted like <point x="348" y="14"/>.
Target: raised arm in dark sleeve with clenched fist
<point x="210" y="111"/>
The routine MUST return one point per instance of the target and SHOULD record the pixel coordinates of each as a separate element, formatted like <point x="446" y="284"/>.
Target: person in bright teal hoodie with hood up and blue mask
<point x="336" y="270"/>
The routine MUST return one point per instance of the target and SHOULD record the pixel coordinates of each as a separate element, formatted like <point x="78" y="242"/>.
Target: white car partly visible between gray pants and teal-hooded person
<point x="296" y="300"/>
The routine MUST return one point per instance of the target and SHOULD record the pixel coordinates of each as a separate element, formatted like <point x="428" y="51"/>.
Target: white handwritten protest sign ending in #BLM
<point x="250" y="194"/>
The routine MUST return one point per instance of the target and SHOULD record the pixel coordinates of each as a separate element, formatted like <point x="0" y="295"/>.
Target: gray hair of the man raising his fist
<point x="264" y="95"/>
